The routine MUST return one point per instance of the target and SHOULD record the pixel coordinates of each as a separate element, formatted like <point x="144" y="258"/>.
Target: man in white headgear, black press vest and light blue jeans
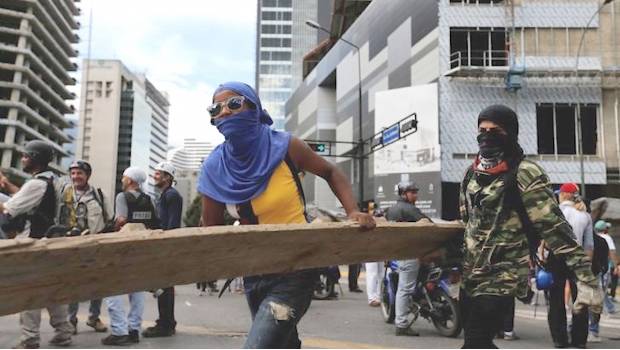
<point x="132" y="206"/>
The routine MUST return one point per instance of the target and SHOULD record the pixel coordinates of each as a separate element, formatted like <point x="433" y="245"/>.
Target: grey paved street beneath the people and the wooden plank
<point x="206" y="322"/>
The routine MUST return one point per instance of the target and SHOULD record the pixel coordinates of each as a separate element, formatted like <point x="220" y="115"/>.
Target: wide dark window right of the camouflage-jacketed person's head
<point x="557" y="128"/>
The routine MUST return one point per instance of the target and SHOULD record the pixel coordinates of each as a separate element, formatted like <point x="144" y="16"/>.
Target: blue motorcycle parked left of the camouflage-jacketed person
<point x="435" y="298"/>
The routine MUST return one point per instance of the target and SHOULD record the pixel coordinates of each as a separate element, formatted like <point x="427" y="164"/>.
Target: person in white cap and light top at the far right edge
<point x="601" y="229"/>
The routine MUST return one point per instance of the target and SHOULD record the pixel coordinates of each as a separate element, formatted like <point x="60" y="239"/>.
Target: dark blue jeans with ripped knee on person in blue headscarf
<point x="277" y="303"/>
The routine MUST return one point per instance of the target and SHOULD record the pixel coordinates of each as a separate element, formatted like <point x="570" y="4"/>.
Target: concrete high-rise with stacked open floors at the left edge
<point x="37" y="41"/>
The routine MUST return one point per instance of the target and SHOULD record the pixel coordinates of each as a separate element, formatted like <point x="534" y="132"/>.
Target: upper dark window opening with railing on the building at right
<point x="478" y="47"/>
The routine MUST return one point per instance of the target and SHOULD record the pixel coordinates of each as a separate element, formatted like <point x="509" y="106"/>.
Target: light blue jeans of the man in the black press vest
<point x="119" y="323"/>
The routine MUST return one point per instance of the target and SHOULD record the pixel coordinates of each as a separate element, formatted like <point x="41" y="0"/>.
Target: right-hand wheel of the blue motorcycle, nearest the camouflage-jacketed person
<point x="448" y="320"/>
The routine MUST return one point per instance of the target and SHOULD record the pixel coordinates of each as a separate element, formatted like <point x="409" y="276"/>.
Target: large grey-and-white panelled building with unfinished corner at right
<point x="439" y="63"/>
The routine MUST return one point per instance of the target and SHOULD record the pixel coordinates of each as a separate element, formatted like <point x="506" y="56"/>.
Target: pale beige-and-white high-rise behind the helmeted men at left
<point x="123" y="122"/>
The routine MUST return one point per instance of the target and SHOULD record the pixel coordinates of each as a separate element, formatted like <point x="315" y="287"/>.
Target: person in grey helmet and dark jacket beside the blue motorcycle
<point x="405" y="211"/>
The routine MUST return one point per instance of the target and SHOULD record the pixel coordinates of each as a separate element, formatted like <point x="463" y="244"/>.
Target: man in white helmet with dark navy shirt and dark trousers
<point x="169" y="208"/>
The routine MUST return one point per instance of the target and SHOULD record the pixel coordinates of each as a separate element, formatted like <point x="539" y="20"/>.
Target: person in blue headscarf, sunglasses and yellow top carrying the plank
<point x="254" y="176"/>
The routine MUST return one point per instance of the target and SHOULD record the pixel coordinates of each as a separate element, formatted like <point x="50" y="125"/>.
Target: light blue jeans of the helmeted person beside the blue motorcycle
<point x="407" y="279"/>
